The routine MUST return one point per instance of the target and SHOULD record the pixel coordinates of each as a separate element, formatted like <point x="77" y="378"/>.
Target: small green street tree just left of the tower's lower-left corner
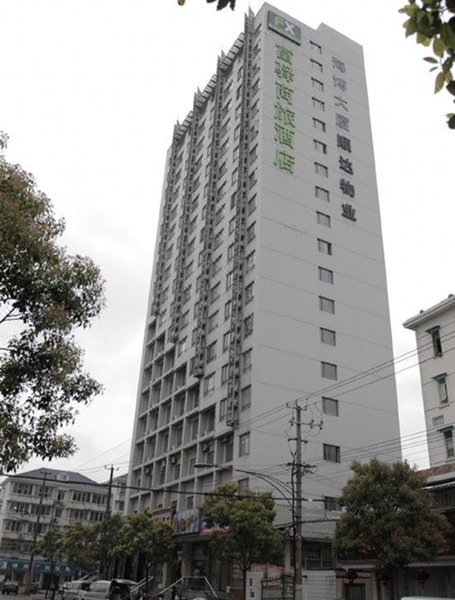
<point x="79" y="547"/>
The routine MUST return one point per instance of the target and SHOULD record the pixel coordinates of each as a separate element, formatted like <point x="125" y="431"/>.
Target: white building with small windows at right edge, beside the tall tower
<point x="434" y="329"/>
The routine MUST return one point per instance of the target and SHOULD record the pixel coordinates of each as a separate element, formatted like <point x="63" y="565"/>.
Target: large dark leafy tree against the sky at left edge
<point x="44" y="295"/>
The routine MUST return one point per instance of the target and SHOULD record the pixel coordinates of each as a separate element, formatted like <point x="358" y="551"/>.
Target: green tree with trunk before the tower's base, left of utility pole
<point x="244" y="533"/>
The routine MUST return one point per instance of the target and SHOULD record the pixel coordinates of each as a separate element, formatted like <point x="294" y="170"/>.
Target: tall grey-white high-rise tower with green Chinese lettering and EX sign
<point x="268" y="287"/>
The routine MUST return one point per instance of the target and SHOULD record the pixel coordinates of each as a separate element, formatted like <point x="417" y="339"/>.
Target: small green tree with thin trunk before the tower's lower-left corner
<point x="154" y="540"/>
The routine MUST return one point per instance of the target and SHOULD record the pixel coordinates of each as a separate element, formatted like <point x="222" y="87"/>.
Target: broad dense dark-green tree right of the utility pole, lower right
<point x="388" y="519"/>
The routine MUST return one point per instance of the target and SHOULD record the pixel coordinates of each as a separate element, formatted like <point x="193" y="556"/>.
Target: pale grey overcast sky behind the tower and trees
<point x="90" y="91"/>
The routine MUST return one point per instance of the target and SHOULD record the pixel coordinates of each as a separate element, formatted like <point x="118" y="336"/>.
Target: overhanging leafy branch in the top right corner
<point x="433" y="24"/>
